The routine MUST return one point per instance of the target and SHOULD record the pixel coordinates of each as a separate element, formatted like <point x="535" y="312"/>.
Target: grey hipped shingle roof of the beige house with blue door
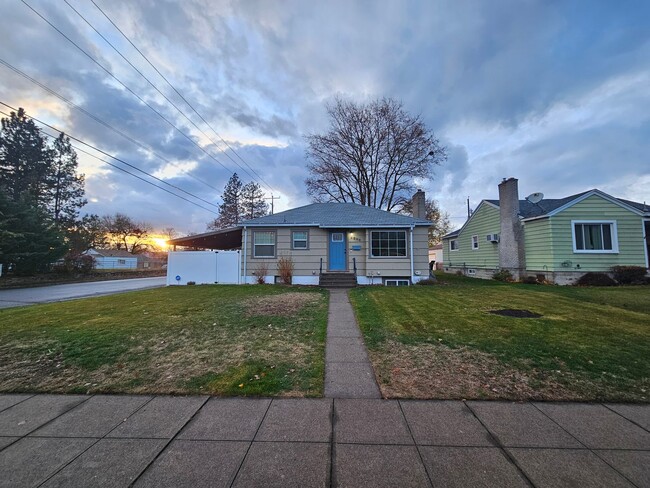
<point x="335" y="215"/>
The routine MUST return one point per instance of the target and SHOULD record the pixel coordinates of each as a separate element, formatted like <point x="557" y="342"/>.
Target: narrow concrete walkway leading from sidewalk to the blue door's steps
<point x="348" y="372"/>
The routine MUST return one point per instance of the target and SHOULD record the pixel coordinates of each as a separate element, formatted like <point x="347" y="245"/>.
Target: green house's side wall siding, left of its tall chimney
<point x="483" y="222"/>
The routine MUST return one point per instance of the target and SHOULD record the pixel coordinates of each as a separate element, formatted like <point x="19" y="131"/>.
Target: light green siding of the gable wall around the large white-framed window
<point x="629" y="233"/>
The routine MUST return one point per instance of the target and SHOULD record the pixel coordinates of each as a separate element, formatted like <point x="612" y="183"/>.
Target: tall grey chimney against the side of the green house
<point x="511" y="241"/>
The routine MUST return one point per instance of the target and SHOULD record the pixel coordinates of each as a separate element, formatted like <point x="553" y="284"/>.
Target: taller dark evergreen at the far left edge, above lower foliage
<point x="24" y="159"/>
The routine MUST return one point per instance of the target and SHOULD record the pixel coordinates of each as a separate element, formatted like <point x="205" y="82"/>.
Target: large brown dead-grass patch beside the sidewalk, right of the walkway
<point x="439" y="372"/>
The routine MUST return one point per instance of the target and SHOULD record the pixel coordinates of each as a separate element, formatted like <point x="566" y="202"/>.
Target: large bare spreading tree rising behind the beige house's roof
<point x="371" y="154"/>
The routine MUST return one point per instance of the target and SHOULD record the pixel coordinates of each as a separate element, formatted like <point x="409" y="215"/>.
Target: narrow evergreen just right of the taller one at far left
<point x="65" y="189"/>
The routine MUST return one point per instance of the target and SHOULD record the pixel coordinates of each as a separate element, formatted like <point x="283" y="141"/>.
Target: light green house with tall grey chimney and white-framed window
<point x="560" y="238"/>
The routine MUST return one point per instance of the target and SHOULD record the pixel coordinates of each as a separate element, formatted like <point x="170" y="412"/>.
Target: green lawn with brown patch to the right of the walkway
<point x="441" y="341"/>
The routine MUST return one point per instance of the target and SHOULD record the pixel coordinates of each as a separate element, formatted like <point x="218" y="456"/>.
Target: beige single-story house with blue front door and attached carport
<point x="328" y="242"/>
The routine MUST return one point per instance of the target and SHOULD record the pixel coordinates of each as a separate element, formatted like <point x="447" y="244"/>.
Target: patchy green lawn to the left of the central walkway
<point x="221" y="340"/>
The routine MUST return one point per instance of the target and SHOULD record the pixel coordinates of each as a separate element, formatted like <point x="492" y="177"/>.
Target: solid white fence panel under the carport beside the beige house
<point x="203" y="267"/>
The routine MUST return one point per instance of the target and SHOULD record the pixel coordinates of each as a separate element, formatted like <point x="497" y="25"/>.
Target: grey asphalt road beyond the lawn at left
<point x="70" y="291"/>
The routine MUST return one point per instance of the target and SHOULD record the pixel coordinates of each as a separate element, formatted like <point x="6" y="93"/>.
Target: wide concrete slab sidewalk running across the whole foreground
<point x="82" y="441"/>
